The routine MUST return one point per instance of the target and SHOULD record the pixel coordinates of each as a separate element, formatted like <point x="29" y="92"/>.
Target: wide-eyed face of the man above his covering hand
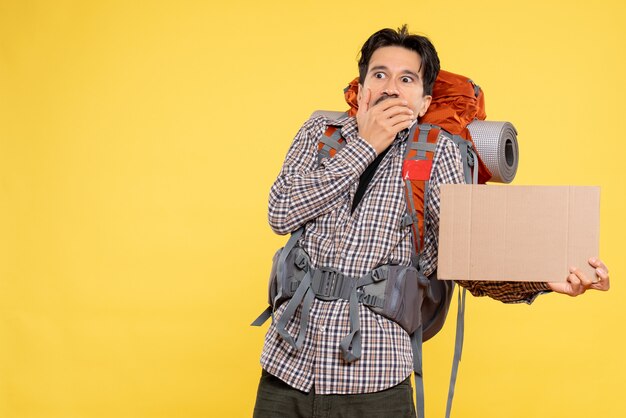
<point x="394" y="71"/>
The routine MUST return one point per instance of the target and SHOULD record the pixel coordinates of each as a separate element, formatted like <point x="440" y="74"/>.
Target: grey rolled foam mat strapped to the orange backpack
<point x="496" y="143"/>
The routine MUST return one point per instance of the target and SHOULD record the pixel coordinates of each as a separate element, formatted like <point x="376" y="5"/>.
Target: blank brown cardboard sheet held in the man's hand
<point x="517" y="233"/>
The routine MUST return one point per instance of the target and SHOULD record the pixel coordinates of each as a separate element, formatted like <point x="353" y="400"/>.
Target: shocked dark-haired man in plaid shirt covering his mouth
<point x="351" y="207"/>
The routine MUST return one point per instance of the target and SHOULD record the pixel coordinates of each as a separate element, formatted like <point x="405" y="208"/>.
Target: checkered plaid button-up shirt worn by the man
<point x="319" y="197"/>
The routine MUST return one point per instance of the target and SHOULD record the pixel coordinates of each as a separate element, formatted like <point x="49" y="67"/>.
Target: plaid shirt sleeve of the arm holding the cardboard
<point x="448" y="169"/>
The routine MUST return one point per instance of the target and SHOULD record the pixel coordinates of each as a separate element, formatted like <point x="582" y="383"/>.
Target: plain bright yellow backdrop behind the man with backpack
<point x="138" y="142"/>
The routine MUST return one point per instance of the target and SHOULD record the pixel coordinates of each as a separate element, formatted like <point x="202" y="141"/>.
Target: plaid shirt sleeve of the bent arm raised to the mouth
<point x="305" y="190"/>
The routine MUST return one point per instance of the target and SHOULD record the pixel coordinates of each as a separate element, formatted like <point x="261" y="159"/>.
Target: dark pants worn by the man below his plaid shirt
<point x="276" y="399"/>
